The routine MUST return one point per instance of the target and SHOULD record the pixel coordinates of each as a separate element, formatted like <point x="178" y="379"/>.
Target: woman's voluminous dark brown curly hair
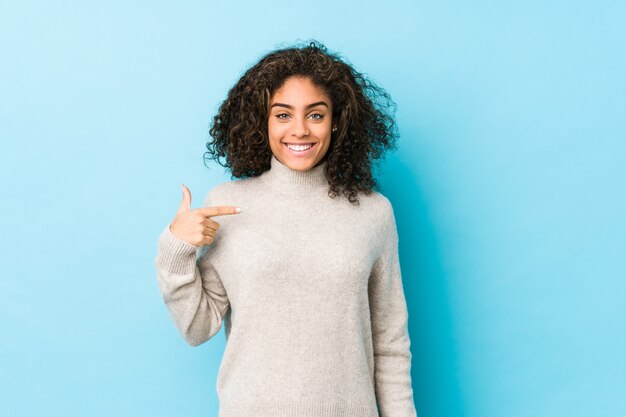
<point x="362" y="112"/>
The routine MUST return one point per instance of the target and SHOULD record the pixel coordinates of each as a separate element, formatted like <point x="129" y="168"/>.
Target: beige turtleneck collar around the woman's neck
<point x="282" y="178"/>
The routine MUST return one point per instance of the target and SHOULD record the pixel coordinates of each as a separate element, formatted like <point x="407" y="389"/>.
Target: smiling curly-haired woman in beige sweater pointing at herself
<point x="306" y="277"/>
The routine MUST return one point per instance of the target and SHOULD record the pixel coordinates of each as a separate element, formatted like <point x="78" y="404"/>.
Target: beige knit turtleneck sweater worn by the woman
<point x="309" y="289"/>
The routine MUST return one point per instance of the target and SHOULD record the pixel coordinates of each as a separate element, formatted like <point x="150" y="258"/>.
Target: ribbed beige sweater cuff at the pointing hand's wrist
<point x="175" y="255"/>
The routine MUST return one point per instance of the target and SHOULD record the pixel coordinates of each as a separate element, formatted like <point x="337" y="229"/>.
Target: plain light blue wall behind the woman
<point x="509" y="189"/>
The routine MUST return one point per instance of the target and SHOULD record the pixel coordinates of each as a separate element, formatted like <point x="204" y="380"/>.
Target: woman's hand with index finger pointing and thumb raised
<point x="195" y="226"/>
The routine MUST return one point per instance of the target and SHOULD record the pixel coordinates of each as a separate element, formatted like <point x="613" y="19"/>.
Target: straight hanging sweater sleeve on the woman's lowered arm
<point x="389" y="319"/>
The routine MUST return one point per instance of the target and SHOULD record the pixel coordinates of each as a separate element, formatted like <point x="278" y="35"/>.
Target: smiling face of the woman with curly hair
<point x="299" y="124"/>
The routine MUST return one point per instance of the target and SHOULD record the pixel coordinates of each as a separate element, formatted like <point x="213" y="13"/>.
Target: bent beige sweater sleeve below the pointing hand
<point x="191" y="289"/>
